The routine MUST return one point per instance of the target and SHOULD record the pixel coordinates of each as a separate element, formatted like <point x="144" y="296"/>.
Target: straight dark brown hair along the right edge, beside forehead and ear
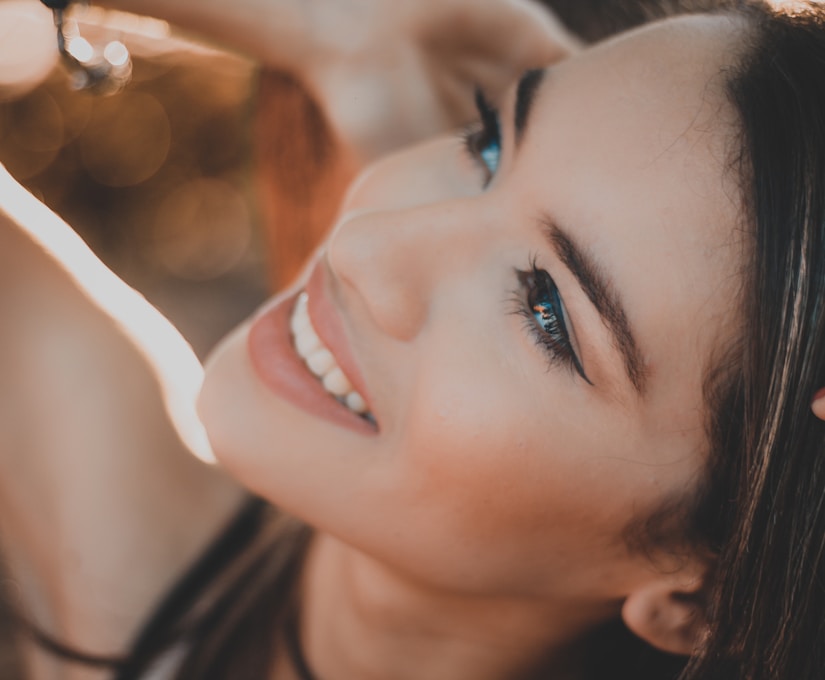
<point x="767" y="469"/>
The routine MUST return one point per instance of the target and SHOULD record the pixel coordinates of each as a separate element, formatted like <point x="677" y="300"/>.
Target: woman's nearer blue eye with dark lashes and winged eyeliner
<point x="539" y="303"/>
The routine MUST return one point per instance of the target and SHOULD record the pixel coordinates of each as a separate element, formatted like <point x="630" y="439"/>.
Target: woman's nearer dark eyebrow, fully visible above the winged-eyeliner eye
<point x="604" y="298"/>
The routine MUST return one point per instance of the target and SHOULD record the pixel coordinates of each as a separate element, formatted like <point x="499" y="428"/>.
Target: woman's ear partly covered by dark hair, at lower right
<point x="668" y="613"/>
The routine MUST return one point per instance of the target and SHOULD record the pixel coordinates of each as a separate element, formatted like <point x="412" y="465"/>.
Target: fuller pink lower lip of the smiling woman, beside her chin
<point x="281" y="369"/>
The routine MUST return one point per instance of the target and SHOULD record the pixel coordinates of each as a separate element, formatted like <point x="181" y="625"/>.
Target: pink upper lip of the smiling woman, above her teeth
<point x="328" y="324"/>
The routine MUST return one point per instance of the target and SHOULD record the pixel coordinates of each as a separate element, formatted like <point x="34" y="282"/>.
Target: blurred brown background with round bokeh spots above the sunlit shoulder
<point x="156" y="178"/>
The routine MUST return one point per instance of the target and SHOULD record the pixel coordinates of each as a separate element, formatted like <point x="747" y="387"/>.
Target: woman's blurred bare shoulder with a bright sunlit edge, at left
<point x="101" y="497"/>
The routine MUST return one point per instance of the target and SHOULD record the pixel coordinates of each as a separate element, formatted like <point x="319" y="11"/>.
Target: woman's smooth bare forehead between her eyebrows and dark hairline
<point x="629" y="150"/>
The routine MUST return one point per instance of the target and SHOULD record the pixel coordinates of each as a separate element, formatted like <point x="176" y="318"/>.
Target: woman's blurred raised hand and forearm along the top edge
<point x="386" y="72"/>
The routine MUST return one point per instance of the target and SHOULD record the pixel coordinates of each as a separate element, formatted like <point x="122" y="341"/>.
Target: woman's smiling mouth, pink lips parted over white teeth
<point x="298" y="347"/>
